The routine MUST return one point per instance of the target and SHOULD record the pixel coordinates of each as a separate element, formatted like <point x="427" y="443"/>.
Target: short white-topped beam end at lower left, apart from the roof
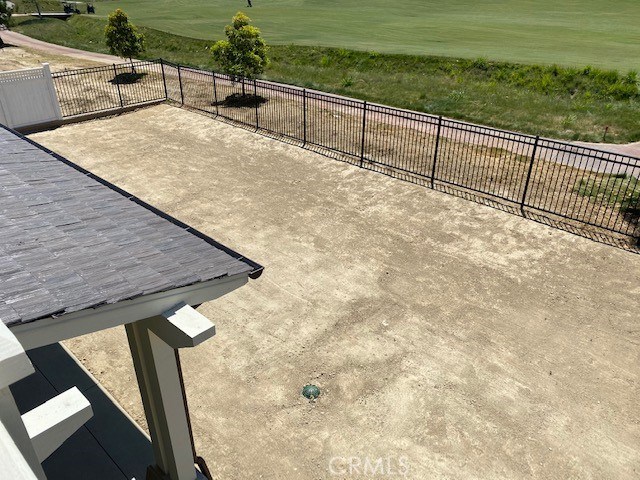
<point x="50" y="424"/>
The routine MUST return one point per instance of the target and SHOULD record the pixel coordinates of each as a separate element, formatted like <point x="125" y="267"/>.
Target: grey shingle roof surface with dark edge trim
<point x="71" y="241"/>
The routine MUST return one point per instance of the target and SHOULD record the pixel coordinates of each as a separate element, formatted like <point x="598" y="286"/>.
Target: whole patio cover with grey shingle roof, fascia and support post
<point x="78" y="254"/>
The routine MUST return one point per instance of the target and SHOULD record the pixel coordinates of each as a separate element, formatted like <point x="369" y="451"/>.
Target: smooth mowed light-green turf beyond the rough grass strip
<point x="568" y="32"/>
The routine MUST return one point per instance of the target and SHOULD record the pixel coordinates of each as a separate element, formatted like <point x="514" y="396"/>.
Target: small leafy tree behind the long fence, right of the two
<point x="244" y="53"/>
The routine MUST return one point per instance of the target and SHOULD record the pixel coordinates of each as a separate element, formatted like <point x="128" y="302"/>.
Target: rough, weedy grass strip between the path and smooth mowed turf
<point x="557" y="102"/>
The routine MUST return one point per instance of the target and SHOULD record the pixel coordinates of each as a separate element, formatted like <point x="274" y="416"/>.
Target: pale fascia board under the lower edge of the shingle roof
<point x="51" y="330"/>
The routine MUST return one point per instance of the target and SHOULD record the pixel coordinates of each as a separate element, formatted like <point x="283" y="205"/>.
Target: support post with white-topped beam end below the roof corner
<point x="153" y="342"/>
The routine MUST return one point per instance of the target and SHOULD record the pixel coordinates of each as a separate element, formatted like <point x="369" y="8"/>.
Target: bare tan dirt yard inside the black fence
<point x="451" y="337"/>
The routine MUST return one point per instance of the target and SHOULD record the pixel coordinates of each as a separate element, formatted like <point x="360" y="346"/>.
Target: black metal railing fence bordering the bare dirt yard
<point x="586" y="186"/>
